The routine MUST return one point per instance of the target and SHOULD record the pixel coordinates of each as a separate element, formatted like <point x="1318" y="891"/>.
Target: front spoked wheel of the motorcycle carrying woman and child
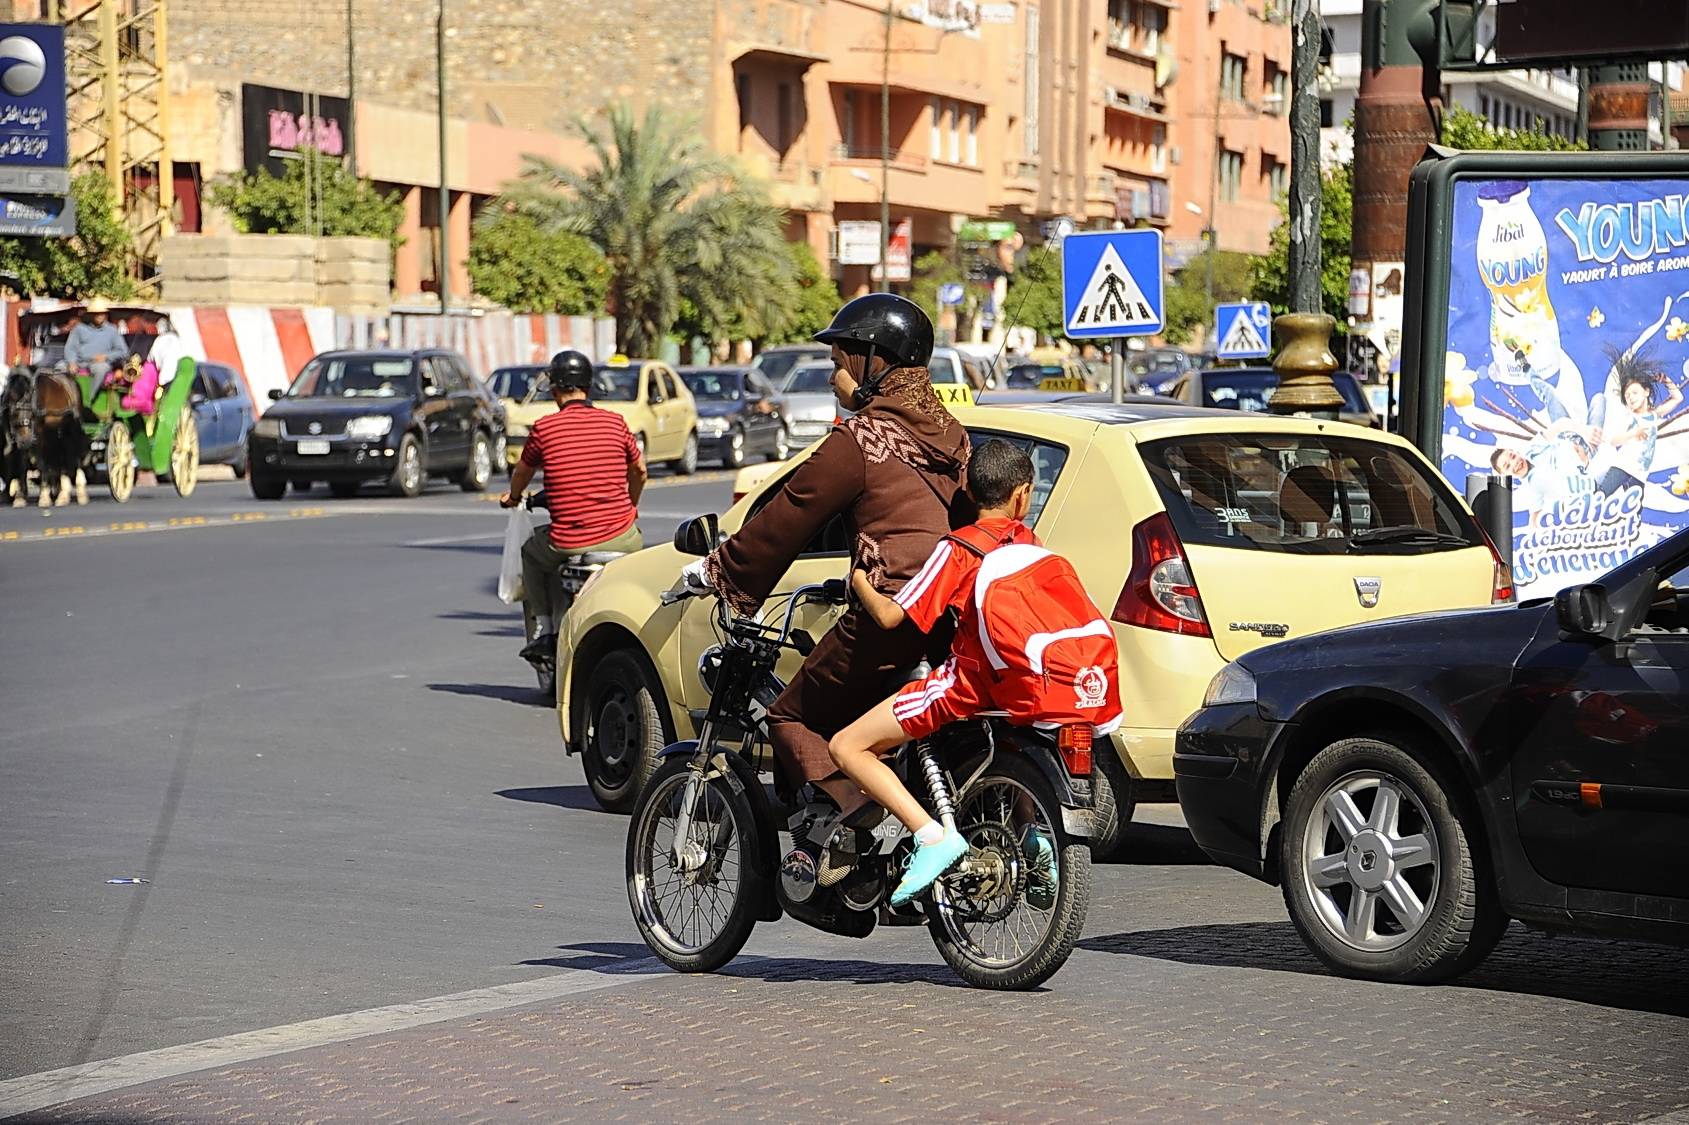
<point x="697" y="903"/>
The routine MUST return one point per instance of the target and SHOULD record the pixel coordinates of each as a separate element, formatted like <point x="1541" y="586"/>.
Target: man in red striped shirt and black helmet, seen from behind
<point x="594" y="481"/>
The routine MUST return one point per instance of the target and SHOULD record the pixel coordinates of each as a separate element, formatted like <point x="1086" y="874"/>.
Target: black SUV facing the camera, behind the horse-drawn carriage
<point x="376" y="416"/>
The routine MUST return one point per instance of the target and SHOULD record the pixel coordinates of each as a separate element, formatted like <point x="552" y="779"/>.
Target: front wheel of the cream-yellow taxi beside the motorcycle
<point x="624" y="731"/>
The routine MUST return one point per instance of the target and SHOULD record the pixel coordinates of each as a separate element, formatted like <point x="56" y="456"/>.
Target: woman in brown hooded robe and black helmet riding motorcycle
<point x="894" y="474"/>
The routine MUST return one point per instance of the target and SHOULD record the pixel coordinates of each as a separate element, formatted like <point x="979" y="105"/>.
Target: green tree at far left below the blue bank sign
<point x="90" y="264"/>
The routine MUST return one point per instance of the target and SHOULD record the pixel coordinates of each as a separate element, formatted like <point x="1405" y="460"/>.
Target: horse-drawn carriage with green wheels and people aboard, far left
<point x="68" y="418"/>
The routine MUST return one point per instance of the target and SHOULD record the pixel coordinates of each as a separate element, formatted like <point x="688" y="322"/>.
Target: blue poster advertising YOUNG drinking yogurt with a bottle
<point x="1568" y="366"/>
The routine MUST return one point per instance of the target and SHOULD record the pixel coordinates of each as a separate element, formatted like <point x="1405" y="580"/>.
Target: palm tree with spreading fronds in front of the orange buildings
<point x="678" y="227"/>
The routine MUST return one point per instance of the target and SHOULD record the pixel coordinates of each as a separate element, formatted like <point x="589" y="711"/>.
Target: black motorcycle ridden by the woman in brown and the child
<point x="712" y="852"/>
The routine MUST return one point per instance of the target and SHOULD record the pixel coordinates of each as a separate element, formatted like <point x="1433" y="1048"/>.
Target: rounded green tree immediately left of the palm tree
<point x="536" y="271"/>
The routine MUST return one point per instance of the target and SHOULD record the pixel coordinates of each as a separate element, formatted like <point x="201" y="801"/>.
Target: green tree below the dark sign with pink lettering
<point x="317" y="195"/>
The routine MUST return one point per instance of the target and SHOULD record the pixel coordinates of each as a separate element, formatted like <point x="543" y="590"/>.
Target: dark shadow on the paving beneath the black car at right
<point x="1610" y="974"/>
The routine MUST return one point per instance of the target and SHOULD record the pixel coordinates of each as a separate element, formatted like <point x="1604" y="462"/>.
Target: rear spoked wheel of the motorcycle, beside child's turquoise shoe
<point x="996" y="918"/>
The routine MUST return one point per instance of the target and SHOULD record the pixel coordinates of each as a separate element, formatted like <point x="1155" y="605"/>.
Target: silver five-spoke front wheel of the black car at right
<point x="1381" y="867"/>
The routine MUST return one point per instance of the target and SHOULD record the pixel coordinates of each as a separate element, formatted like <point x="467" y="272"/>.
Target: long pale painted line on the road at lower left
<point x="70" y="1084"/>
